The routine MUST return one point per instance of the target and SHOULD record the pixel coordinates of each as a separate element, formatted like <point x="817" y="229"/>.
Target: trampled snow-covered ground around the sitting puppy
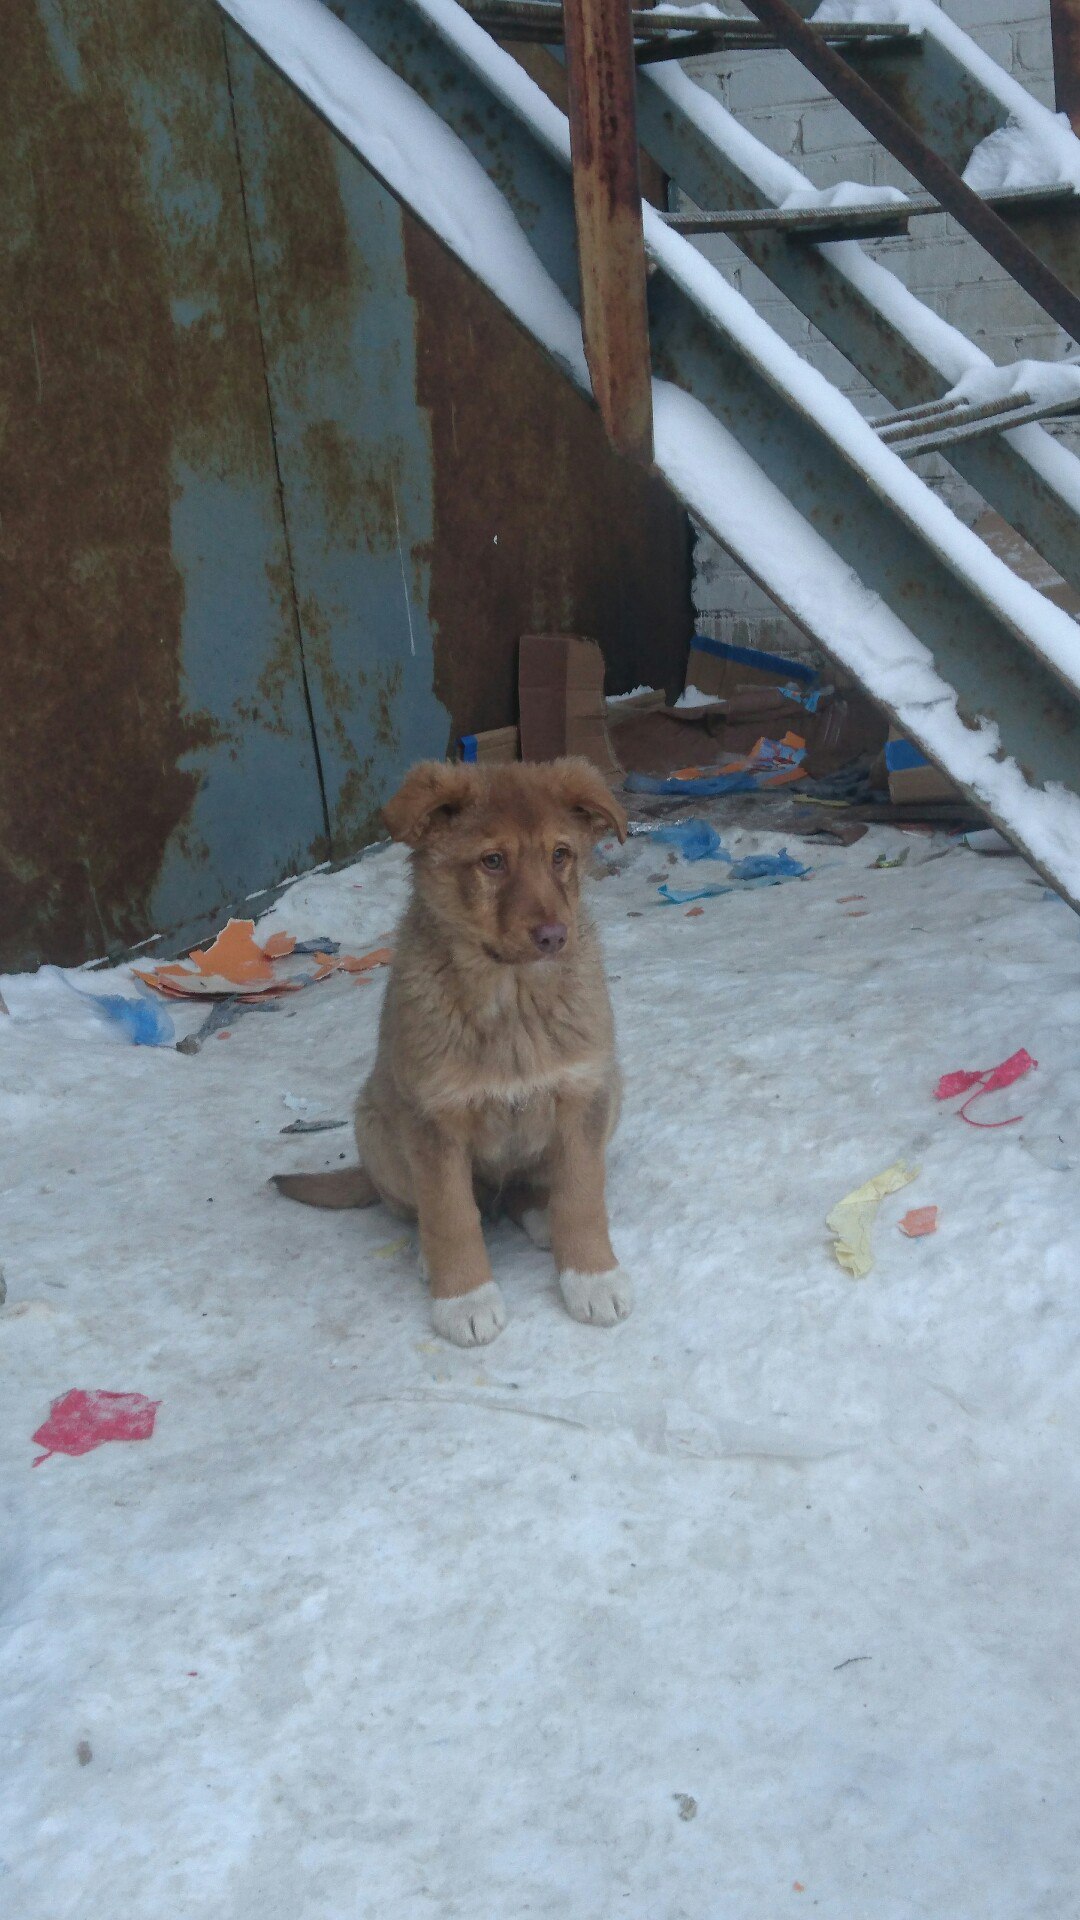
<point x="758" y="1604"/>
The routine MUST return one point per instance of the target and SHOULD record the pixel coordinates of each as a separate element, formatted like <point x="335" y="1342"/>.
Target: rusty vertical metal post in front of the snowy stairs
<point x="608" y="206"/>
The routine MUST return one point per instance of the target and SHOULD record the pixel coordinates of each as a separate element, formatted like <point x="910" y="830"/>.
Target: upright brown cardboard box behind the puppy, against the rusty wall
<point x="560" y="694"/>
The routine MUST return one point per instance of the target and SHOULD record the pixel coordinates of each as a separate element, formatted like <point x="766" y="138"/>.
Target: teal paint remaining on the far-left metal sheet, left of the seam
<point x="241" y="661"/>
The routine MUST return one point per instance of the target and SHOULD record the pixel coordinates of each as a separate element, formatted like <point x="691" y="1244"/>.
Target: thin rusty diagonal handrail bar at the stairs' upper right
<point x="927" y="166"/>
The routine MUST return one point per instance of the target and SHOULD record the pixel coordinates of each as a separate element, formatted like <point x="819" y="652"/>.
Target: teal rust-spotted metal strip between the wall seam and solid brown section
<point x="353" y="444"/>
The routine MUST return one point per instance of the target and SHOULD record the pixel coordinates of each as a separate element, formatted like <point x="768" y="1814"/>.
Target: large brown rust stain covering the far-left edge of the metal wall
<point x="93" y="729"/>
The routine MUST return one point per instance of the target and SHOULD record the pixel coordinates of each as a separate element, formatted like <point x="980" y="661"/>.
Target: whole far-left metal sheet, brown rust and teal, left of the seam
<point x="143" y="567"/>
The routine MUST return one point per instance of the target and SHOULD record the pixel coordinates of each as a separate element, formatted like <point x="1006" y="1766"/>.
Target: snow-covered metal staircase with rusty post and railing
<point x="816" y="502"/>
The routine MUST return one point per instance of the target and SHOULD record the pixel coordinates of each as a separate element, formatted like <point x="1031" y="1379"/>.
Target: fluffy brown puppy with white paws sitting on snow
<point x="495" y="1086"/>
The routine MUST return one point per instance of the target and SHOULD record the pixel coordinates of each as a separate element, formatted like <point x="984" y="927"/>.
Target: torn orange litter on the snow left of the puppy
<point x="237" y="967"/>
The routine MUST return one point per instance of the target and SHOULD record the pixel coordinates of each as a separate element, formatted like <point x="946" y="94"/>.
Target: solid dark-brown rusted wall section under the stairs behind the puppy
<point x="537" y="525"/>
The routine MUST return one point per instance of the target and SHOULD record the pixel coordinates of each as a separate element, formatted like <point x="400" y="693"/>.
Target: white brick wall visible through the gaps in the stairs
<point x="789" y="112"/>
